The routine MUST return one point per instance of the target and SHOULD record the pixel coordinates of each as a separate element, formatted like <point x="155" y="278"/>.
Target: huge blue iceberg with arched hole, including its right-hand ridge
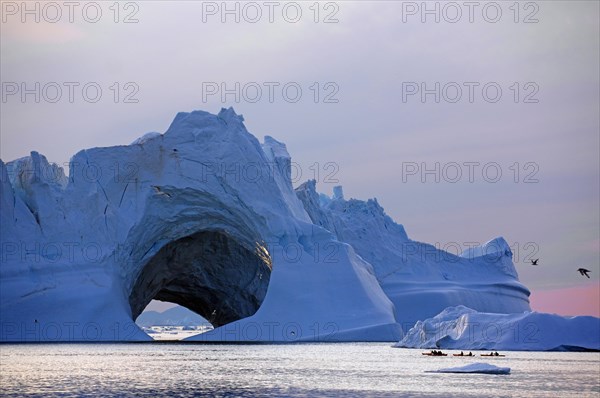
<point x="206" y="216"/>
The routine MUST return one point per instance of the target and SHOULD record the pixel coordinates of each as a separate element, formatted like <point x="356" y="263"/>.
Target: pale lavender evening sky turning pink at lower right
<point x="465" y="122"/>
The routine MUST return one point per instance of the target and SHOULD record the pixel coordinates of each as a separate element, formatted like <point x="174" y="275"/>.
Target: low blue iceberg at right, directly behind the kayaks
<point x="462" y="328"/>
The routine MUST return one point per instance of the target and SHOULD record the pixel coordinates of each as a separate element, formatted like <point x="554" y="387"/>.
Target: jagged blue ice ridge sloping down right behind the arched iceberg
<point x="419" y="279"/>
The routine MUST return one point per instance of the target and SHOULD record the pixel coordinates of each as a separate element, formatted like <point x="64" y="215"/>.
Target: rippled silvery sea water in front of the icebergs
<point x="340" y="370"/>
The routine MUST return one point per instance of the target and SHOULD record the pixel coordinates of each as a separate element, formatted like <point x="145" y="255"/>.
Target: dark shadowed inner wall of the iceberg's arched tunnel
<point x="208" y="272"/>
